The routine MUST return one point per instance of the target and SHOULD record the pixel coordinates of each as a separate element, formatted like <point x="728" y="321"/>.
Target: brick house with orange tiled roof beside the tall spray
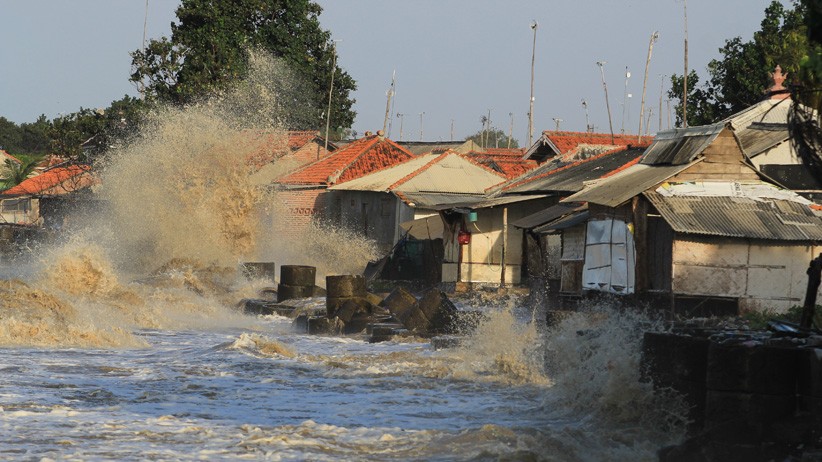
<point x="301" y="195"/>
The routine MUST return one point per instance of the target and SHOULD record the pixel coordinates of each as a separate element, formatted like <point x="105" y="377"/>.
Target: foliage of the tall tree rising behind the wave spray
<point x="209" y="51"/>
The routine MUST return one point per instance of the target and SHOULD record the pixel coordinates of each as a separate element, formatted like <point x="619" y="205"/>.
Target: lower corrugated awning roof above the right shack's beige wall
<point x="742" y="217"/>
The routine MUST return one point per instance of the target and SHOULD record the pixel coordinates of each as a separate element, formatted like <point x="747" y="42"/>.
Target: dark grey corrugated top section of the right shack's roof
<point x="681" y="145"/>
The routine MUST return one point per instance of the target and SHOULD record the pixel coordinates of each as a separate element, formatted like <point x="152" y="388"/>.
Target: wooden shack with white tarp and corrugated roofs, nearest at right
<point x="692" y="226"/>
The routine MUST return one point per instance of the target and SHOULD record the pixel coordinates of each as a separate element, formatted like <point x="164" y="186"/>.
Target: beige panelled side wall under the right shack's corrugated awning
<point x="761" y="275"/>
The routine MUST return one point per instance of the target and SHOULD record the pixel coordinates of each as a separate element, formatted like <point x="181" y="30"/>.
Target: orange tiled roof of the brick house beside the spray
<point x="359" y="158"/>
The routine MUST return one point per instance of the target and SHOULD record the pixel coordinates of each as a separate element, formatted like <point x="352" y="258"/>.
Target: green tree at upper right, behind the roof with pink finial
<point x="743" y="74"/>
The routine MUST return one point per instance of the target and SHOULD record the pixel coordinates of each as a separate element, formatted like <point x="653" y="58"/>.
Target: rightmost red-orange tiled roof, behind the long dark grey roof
<point x="571" y="145"/>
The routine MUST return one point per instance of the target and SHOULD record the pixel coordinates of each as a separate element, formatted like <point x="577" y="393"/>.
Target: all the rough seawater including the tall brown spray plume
<point x="123" y="340"/>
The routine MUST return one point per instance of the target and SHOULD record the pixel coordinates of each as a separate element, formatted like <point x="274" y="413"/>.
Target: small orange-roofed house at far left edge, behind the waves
<point x="42" y="200"/>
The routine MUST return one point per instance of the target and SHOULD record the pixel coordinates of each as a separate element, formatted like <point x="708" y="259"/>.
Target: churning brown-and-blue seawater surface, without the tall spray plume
<point x="157" y="371"/>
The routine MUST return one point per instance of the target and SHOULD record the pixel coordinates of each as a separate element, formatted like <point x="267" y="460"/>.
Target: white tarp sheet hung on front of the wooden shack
<point x="609" y="257"/>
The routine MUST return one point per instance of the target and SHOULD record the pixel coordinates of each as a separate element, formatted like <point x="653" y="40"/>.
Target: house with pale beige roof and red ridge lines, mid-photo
<point x="407" y="198"/>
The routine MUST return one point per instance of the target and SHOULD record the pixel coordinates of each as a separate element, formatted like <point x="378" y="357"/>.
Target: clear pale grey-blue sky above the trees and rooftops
<point x="453" y="61"/>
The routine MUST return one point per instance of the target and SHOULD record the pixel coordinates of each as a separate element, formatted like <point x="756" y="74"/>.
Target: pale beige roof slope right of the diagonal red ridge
<point x="450" y="173"/>
